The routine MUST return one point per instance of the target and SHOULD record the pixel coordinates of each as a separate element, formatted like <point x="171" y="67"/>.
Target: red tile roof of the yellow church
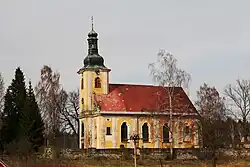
<point x="137" y="98"/>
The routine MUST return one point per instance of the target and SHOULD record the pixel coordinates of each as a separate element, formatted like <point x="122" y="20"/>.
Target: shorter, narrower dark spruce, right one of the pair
<point x="32" y="121"/>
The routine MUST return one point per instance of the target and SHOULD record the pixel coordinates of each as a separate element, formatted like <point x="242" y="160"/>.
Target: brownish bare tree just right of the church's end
<point x="211" y="108"/>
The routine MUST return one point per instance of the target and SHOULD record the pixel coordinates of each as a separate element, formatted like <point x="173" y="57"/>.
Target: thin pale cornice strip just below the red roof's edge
<point x="145" y="113"/>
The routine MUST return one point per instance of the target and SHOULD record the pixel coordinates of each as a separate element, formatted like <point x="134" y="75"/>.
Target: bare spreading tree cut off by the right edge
<point x="238" y="97"/>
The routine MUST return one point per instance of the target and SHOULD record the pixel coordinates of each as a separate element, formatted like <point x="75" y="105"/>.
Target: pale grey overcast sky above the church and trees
<point x="210" y="39"/>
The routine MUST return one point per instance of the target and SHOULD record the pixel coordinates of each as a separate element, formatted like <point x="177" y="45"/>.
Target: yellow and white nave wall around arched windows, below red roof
<point x="113" y="140"/>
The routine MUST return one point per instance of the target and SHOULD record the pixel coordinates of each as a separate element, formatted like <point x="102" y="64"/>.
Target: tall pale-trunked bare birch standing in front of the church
<point x="165" y="73"/>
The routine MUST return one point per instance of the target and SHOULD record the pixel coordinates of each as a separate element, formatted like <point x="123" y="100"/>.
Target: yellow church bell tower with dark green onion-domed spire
<point x="94" y="79"/>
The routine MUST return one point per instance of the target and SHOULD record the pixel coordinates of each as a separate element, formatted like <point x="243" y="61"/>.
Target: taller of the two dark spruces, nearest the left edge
<point x="15" y="99"/>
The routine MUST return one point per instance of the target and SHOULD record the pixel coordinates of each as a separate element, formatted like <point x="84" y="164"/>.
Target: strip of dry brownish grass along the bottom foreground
<point x="122" y="163"/>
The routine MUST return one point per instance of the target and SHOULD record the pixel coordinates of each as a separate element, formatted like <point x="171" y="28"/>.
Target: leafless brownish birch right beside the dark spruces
<point x="48" y="91"/>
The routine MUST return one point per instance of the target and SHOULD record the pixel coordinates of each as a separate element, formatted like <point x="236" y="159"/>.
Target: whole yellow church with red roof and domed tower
<point x="111" y="113"/>
